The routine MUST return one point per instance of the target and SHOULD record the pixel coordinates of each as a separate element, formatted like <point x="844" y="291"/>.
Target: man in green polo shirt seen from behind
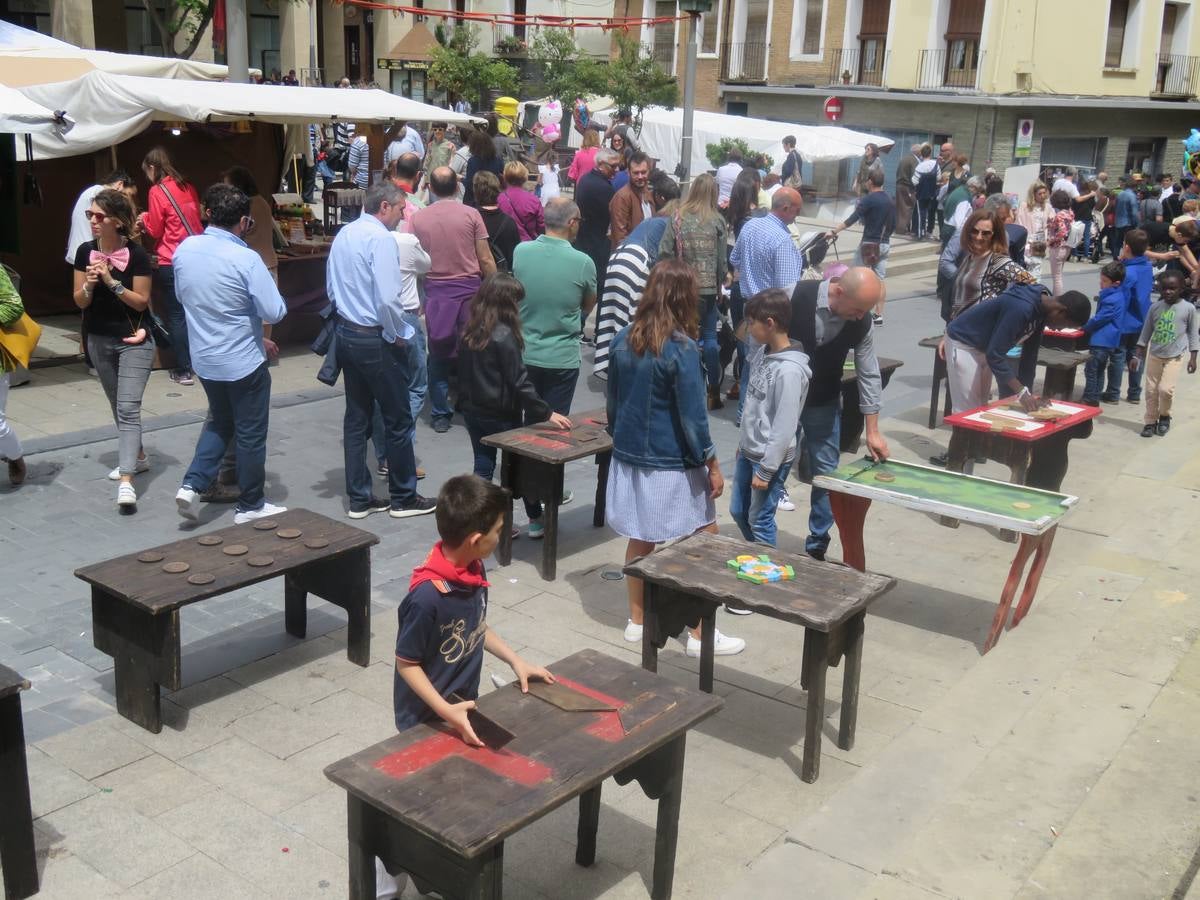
<point x="561" y="290"/>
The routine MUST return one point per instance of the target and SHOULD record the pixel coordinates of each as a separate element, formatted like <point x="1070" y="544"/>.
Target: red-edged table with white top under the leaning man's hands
<point x="1036" y="453"/>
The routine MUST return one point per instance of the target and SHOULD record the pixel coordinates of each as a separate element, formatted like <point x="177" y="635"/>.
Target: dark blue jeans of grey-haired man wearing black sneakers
<point x="376" y="373"/>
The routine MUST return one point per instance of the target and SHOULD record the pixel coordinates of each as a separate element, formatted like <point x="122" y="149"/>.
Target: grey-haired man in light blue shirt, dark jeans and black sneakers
<point x="376" y="352"/>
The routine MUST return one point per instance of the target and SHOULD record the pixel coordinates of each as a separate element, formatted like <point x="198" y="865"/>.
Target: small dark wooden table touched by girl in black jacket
<point x="532" y="461"/>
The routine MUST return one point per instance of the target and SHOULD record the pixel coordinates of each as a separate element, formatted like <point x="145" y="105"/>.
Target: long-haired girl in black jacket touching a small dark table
<point x="496" y="389"/>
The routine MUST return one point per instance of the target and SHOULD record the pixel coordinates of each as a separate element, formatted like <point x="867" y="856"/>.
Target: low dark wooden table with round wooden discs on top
<point x="135" y="604"/>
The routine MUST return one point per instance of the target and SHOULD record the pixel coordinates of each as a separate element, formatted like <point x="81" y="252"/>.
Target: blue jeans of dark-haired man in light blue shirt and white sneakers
<point x="241" y="412"/>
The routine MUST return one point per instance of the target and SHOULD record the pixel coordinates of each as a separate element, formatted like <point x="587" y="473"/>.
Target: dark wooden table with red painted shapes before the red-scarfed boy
<point x="428" y="803"/>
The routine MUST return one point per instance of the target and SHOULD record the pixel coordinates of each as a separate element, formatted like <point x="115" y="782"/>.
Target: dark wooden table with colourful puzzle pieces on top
<point x="686" y="583"/>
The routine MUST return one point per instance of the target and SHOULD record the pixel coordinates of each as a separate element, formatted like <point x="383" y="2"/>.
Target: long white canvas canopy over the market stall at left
<point x="111" y="109"/>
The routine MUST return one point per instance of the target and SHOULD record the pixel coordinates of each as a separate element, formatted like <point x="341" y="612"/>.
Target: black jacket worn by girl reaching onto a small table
<point x="494" y="381"/>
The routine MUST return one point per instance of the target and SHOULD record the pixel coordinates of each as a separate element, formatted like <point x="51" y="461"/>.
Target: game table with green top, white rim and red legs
<point x="1033" y="513"/>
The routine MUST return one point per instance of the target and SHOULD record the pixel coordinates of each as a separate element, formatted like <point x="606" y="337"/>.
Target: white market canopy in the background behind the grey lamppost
<point x="663" y="130"/>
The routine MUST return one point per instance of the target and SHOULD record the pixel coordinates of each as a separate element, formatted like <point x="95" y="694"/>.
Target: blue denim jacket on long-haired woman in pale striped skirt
<point x="657" y="413"/>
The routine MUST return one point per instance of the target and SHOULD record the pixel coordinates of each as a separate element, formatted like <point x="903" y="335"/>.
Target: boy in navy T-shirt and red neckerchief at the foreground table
<point x="443" y="621"/>
